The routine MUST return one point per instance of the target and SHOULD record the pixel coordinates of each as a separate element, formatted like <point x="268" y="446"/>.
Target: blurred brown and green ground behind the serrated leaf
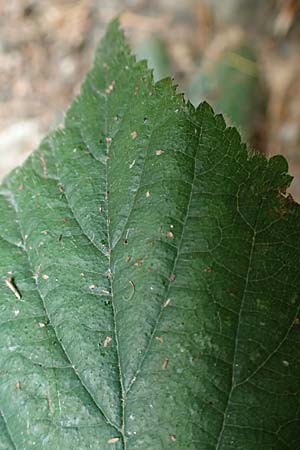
<point x="240" y="55"/>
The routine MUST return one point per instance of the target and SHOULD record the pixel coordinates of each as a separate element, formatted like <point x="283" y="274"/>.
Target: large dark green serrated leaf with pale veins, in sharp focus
<point x="149" y="289"/>
